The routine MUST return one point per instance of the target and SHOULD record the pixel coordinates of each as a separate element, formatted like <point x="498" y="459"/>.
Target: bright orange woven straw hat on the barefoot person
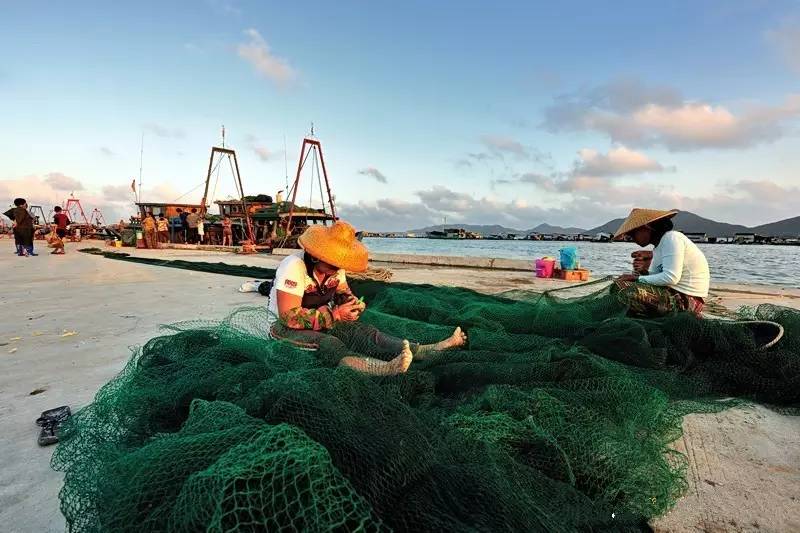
<point x="336" y="245"/>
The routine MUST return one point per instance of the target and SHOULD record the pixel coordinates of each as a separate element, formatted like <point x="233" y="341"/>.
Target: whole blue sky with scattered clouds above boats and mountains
<point x="515" y="113"/>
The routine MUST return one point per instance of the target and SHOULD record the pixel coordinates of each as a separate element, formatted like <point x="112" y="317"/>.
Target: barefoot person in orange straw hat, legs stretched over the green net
<point x="312" y="306"/>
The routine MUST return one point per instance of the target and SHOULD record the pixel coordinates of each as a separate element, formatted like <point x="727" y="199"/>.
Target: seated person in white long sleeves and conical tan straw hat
<point x="678" y="276"/>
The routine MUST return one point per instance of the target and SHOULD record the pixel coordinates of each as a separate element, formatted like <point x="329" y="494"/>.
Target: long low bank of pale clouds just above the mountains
<point x="587" y="203"/>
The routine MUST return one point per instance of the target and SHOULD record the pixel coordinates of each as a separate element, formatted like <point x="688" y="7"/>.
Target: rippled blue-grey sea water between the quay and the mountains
<point x="729" y="263"/>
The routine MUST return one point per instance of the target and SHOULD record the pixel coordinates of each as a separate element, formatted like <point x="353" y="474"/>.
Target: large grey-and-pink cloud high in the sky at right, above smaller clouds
<point x="639" y="115"/>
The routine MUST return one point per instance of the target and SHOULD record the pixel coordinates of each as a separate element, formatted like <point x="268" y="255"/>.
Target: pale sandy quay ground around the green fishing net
<point x="68" y="323"/>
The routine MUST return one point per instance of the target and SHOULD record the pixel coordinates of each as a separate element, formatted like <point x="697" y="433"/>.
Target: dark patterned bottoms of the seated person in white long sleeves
<point x="651" y="301"/>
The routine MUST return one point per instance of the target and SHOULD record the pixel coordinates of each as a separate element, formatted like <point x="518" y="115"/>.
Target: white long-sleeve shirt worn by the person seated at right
<point x="680" y="264"/>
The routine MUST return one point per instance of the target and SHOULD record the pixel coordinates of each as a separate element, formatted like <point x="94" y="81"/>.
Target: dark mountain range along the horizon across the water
<point x="683" y="221"/>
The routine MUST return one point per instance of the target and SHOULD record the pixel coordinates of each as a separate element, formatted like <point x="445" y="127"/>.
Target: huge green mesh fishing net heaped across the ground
<point x="558" y="416"/>
